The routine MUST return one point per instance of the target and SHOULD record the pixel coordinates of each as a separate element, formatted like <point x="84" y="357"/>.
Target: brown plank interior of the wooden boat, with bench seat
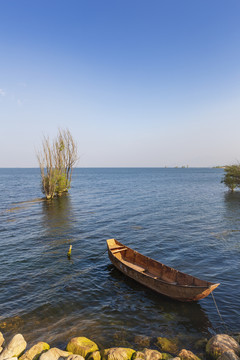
<point x="152" y="268"/>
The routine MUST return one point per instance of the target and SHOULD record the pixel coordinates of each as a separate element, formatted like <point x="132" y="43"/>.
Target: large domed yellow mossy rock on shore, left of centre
<point x="81" y="346"/>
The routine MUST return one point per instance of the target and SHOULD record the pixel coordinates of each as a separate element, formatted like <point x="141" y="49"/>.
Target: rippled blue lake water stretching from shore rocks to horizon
<point x="184" y="218"/>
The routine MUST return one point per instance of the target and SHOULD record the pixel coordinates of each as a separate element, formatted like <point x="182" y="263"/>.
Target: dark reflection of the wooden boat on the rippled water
<point x="161" y="311"/>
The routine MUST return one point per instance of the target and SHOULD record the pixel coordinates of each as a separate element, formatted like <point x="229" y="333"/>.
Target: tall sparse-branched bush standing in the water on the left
<point x="56" y="161"/>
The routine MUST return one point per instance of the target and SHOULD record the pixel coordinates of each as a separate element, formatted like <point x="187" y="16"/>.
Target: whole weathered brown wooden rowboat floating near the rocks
<point x="157" y="276"/>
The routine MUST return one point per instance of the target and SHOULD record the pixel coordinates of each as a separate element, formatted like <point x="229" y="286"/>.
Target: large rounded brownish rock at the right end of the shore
<point x="221" y="343"/>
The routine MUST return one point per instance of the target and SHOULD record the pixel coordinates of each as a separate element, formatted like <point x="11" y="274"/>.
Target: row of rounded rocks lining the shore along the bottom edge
<point x="219" y="347"/>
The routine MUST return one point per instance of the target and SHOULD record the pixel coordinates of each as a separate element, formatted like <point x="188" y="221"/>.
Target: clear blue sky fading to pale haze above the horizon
<point x="139" y="83"/>
